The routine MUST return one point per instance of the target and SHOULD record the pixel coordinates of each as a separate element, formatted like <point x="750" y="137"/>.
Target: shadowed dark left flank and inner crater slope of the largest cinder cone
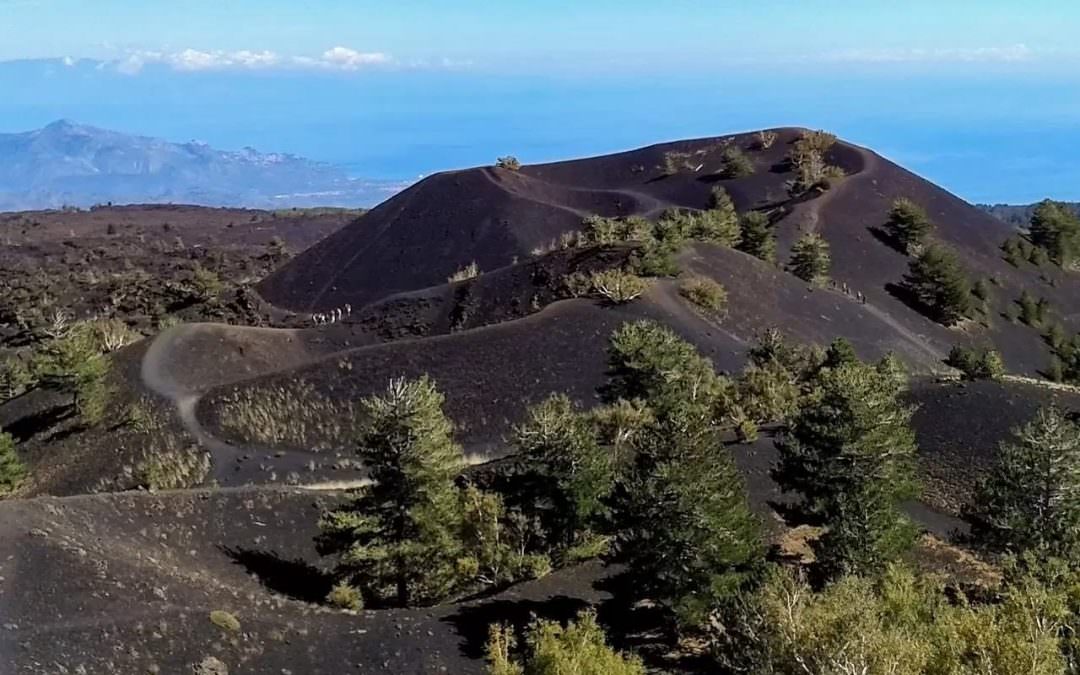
<point x="494" y="217"/>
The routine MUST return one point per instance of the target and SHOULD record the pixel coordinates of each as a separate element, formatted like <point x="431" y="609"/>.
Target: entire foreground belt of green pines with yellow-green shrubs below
<point x="647" y="479"/>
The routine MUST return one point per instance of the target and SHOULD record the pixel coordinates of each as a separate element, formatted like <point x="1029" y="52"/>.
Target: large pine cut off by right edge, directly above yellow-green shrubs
<point x="1031" y="499"/>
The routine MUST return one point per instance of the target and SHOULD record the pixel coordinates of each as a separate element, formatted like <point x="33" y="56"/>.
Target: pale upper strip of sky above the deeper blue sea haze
<point x="549" y="35"/>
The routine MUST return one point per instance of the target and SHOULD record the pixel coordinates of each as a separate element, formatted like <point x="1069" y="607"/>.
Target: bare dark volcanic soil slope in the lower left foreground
<point x="126" y="584"/>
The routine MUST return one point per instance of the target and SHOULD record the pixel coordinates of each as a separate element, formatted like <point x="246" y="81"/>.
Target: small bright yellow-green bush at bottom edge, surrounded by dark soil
<point x="551" y="650"/>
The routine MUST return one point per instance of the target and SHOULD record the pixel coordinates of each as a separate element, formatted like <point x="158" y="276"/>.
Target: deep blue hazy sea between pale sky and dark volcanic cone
<point x="1010" y="138"/>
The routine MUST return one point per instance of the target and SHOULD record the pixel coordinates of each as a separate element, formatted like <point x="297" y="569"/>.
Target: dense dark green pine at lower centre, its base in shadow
<point x="692" y="541"/>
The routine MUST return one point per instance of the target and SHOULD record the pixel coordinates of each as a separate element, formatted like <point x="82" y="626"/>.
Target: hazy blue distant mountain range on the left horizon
<point x="71" y="165"/>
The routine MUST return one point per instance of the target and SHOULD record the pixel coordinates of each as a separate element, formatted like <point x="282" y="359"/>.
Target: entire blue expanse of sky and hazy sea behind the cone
<point x="980" y="97"/>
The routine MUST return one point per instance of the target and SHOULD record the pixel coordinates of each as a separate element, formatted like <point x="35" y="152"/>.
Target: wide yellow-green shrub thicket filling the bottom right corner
<point x="899" y="622"/>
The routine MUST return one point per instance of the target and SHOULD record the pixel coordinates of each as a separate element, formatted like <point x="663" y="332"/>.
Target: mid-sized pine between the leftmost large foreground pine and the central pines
<point x="573" y="474"/>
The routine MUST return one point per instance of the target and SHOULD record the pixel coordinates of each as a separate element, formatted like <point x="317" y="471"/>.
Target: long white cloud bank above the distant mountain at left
<point x="195" y="61"/>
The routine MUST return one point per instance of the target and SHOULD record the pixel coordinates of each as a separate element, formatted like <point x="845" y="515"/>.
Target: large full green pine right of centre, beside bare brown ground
<point x="850" y="455"/>
